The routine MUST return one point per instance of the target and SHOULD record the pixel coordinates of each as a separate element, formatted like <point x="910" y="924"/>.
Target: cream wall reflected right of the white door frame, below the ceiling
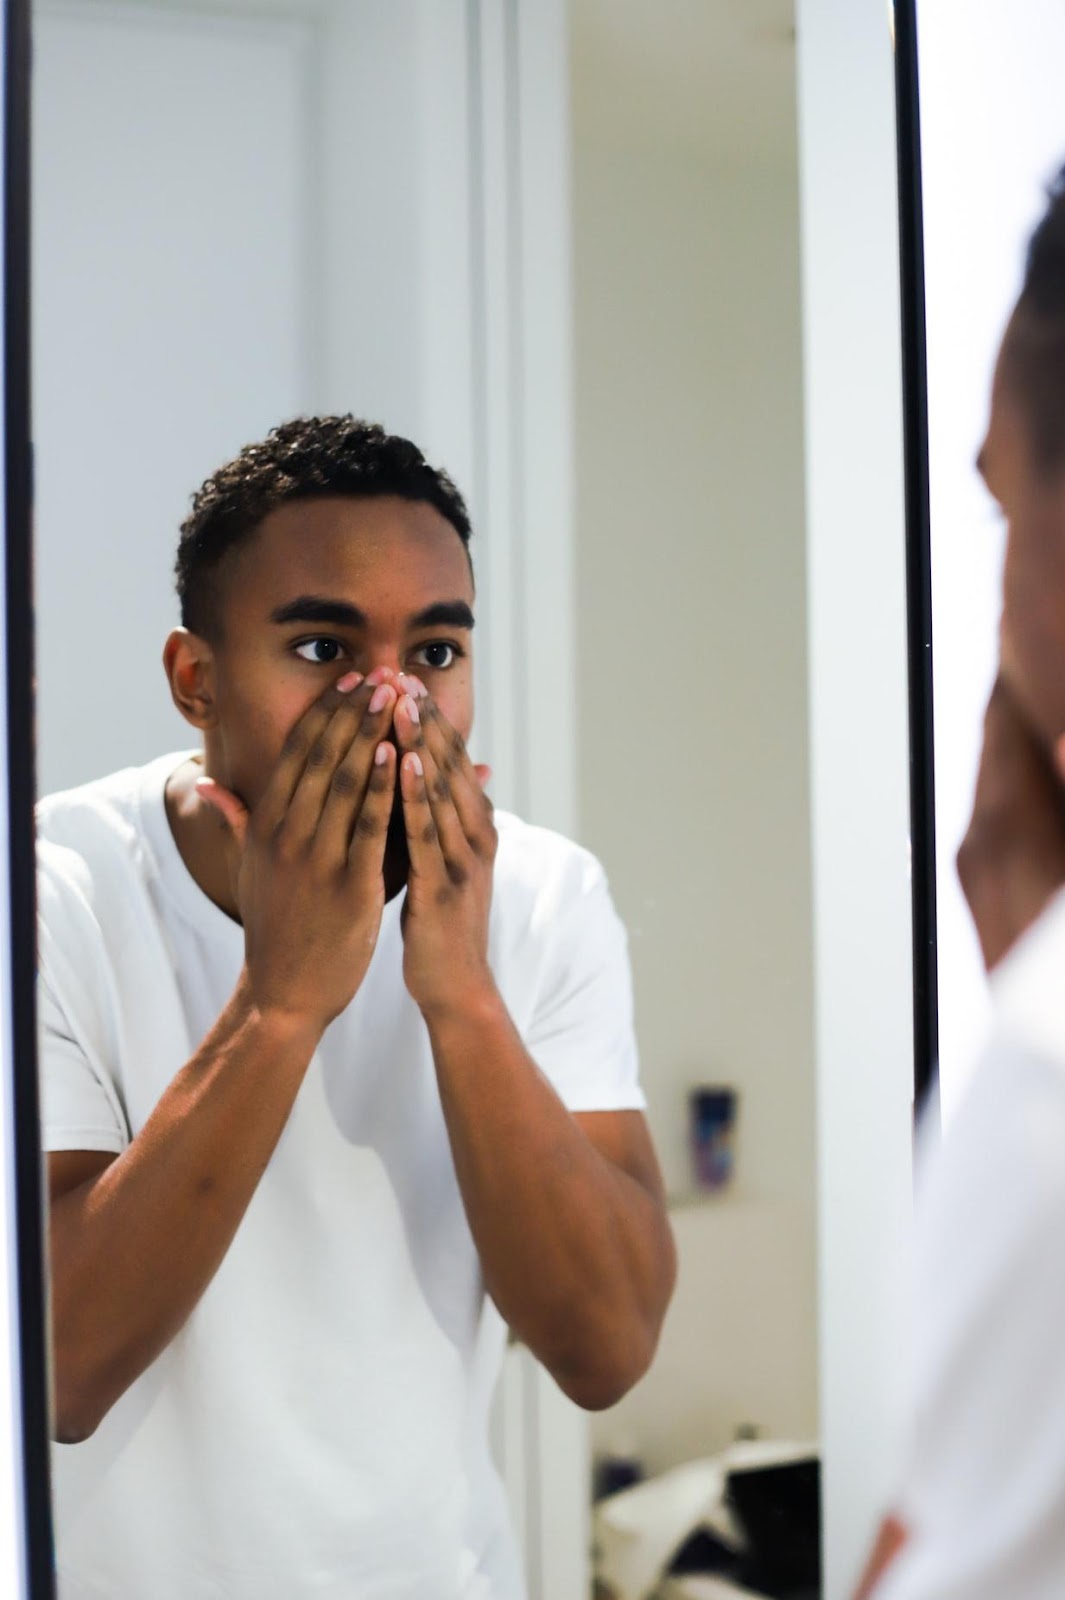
<point x="693" y="770"/>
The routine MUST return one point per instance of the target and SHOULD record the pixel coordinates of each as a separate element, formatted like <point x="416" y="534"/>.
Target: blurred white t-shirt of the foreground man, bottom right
<point x="984" y="1489"/>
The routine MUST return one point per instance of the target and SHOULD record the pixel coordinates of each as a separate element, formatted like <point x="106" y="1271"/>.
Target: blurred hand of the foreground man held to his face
<point x="1013" y="857"/>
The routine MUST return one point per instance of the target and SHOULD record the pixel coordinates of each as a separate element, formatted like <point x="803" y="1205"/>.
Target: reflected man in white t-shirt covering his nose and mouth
<point x="338" y="1078"/>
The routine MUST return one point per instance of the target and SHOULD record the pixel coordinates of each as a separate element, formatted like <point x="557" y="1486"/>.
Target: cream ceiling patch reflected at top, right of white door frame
<point x="708" y="81"/>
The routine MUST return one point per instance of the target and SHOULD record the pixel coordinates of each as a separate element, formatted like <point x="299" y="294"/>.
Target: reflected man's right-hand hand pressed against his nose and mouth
<point x="452" y="842"/>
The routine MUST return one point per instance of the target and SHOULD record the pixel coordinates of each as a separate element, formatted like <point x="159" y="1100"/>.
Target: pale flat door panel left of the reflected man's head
<point x="170" y="327"/>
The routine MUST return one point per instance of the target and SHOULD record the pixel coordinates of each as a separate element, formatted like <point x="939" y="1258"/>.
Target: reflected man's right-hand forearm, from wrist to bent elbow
<point x="576" y="1254"/>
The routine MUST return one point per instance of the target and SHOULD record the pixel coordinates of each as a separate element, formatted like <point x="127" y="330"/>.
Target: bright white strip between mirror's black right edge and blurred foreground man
<point x="992" y="135"/>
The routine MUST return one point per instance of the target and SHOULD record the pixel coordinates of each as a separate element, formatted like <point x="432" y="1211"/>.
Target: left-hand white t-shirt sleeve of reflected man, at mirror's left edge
<point x="79" y="1108"/>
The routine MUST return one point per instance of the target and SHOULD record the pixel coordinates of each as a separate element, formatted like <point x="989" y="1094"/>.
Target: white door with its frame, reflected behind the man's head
<point x="369" y="212"/>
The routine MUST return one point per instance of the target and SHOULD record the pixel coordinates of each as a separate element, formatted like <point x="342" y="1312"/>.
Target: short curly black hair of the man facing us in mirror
<point x="308" y="458"/>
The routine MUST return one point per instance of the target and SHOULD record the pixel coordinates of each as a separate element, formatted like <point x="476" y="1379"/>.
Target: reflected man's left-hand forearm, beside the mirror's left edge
<point x="134" y="1250"/>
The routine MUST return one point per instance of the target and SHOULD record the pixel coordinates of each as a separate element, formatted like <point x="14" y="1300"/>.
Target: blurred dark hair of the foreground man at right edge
<point x="1035" y="350"/>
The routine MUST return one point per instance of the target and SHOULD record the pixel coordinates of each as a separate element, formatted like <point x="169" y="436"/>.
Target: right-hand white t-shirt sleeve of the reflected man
<point x="581" y="1034"/>
